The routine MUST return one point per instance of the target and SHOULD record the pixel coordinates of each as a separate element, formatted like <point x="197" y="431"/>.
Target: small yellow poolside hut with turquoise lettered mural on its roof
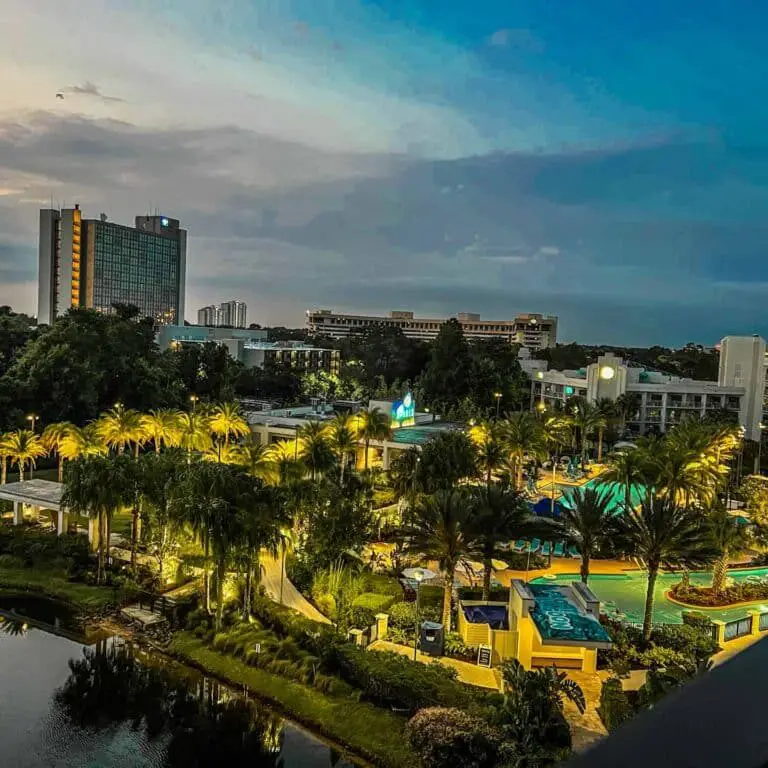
<point x="541" y="625"/>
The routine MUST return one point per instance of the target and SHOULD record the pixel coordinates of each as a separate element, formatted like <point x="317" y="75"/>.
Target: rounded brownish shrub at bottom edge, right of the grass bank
<point x="443" y="738"/>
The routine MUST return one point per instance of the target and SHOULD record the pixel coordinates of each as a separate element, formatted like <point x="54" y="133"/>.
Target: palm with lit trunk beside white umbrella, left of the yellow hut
<point x="439" y="531"/>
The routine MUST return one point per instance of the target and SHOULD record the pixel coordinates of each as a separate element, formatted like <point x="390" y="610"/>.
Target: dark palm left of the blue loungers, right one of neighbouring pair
<point x="498" y="516"/>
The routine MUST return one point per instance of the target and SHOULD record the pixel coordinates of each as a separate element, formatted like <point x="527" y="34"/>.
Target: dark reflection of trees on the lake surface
<point x="107" y="687"/>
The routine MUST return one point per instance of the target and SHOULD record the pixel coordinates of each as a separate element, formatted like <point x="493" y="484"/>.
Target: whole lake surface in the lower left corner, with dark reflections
<point x="111" y="706"/>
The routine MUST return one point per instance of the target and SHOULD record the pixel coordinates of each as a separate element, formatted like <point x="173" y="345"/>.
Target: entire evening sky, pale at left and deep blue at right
<point x="605" y="162"/>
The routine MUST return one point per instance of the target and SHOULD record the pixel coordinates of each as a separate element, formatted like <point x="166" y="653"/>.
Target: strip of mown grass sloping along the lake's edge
<point x="371" y="732"/>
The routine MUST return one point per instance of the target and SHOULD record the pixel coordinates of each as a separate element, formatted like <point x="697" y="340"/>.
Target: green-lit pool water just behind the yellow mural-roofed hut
<point x="625" y="593"/>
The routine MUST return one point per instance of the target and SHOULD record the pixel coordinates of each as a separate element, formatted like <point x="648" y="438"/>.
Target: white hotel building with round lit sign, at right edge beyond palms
<point x="663" y="400"/>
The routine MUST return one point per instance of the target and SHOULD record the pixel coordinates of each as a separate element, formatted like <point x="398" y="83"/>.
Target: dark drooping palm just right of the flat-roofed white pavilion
<point x="92" y="487"/>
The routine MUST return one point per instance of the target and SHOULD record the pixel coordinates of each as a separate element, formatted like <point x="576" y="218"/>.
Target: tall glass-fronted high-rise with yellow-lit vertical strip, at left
<point x="95" y="264"/>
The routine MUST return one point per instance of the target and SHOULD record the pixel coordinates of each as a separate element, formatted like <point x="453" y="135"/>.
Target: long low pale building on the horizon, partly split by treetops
<point x="534" y="331"/>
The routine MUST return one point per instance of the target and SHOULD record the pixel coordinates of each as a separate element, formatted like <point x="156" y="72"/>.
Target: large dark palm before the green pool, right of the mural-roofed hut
<point x="663" y="533"/>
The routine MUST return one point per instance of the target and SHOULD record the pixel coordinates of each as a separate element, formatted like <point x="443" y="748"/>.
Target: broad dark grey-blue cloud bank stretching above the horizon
<point x="632" y="243"/>
